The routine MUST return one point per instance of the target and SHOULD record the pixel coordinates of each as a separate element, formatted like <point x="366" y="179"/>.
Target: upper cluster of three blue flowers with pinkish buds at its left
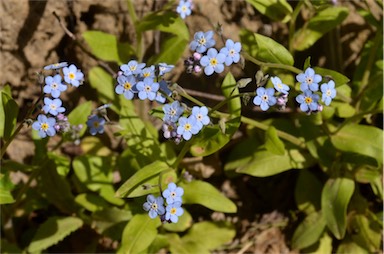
<point x="208" y="57"/>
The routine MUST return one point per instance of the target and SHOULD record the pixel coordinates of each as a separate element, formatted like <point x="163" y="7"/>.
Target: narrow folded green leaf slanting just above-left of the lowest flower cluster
<point x="141" y="177"/>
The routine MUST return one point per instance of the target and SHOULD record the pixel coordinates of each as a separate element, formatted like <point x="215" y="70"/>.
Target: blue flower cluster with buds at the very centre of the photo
<point x="177" y="126"/>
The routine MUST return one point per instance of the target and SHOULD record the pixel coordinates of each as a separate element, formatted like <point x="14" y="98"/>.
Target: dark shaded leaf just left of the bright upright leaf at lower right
<point x="308" y="192"/>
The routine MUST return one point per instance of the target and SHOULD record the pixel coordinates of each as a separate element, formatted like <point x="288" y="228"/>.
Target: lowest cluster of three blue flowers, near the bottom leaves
<point x="172" y="211"/>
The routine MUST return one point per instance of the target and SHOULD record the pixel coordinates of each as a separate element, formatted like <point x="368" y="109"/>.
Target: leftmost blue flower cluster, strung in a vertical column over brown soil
<point x="47" y="125"/>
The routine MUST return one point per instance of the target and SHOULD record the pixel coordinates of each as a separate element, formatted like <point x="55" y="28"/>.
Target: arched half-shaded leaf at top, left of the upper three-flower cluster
<point x="168" y="22"/>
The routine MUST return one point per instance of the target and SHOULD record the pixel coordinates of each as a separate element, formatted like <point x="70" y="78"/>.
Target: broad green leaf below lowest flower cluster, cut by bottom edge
<point x="138" y="234"/>
